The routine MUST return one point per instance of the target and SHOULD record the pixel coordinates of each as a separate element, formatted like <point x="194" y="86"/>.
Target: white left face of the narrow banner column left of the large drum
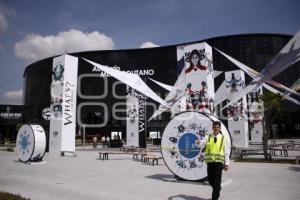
<point x="132" y="125"/>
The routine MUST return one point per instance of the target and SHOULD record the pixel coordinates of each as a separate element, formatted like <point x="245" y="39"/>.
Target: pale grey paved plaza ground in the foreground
<point x="121" y="178"/>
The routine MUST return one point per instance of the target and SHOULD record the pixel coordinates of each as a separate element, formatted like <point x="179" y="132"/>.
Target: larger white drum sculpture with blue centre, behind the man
<point x="182" y="155"/>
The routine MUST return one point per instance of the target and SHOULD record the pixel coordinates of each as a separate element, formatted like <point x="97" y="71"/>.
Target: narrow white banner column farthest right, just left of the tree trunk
<point x="255" y="115"/>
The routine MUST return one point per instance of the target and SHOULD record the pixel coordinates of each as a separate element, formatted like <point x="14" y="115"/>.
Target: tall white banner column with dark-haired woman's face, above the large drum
<point x="199" y="78"/>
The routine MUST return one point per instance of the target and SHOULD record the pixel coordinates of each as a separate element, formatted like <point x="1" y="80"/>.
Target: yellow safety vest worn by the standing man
<point x="214" y="152"/>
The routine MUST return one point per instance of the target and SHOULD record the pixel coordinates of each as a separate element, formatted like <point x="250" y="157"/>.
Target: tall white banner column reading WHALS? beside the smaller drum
<point x="63" y="104"/>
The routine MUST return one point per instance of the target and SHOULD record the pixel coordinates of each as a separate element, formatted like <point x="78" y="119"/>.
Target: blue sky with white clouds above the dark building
<point x="34" y="29"/>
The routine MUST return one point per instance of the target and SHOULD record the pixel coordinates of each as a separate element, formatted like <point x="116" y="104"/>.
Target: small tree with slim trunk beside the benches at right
<point x="273" y="106"/>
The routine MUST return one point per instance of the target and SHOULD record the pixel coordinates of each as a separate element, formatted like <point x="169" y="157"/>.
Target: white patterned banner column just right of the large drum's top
<point x="237" y="118"/>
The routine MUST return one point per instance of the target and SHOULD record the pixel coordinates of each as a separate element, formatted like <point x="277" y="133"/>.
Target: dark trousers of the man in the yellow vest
<point x="214" y="173"/>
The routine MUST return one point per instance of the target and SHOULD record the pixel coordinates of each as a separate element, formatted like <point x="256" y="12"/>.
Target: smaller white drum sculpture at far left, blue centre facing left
<point x="31" y="143"/>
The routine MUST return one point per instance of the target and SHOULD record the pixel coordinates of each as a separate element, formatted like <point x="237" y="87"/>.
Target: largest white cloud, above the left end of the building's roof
<point x="34" y="47"/>
